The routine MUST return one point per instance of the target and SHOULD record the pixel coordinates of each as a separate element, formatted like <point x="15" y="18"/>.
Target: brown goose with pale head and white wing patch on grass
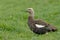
<point x="38" y="26"/>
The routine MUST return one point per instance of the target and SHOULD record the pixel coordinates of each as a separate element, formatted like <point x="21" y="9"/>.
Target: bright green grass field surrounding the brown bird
<point x="13" y="19"/>
